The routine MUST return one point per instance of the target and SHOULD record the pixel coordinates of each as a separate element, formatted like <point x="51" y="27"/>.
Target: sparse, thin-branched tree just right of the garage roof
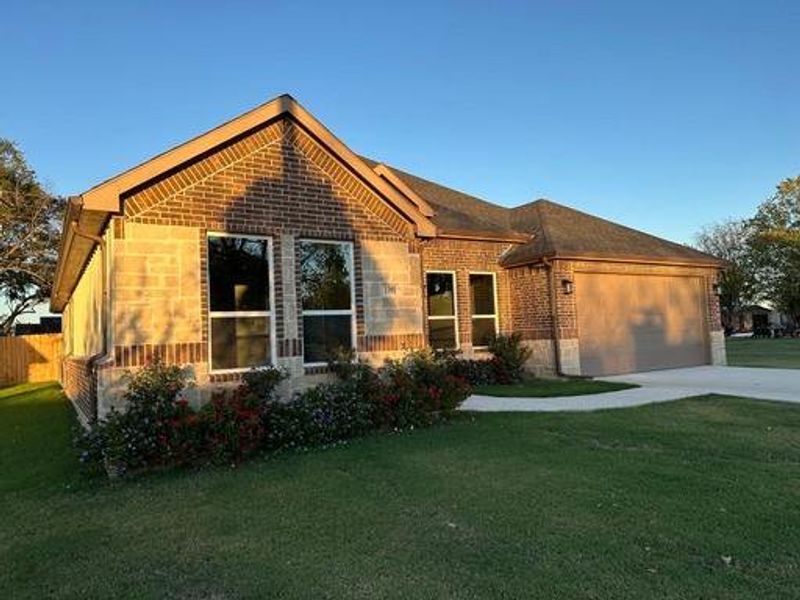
<point x="730" y="241"/>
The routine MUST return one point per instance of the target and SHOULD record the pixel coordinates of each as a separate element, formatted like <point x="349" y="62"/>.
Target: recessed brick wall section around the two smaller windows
<point x="463" y="257"/>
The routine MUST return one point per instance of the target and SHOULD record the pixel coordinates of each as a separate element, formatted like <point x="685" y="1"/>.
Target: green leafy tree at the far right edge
<point x="776" y="247"/>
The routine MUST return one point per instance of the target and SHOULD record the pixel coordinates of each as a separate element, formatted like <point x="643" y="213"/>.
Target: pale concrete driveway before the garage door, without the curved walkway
<point x="764" y="384"/>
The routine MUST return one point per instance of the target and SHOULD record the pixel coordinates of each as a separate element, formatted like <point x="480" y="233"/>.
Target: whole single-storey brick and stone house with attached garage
<point x="267" y="240"/>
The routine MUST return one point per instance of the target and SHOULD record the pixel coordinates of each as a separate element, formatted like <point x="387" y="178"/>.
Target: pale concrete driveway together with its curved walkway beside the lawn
<point x="660" y="386"/>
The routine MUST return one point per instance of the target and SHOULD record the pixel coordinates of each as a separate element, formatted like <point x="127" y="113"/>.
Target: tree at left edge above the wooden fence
<point x="29" y="237"/>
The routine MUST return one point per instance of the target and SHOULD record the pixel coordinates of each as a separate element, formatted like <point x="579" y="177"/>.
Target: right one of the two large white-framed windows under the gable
<point x="326" y="293"/>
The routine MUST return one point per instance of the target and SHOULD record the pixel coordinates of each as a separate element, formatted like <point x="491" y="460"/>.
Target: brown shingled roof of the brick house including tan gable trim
<point x="541" y="229"/>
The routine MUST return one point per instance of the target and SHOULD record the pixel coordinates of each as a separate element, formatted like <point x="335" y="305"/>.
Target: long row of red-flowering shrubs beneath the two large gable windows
<point x="159" y="428"/>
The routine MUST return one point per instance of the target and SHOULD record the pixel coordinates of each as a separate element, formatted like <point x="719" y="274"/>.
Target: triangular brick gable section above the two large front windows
<point x="276" y="180"/>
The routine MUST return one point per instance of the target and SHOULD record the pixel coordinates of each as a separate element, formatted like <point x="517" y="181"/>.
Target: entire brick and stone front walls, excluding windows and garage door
<point x="279" y="182"/>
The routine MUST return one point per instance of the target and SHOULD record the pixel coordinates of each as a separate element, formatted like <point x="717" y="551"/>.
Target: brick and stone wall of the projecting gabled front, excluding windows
<point x="279" y="183"/>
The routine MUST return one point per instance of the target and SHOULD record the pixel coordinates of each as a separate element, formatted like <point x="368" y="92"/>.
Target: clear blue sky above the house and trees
<point x="661" y="115"/>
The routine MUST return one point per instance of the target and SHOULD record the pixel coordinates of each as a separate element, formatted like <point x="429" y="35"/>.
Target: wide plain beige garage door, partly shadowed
<point x="629" y="323"/>
